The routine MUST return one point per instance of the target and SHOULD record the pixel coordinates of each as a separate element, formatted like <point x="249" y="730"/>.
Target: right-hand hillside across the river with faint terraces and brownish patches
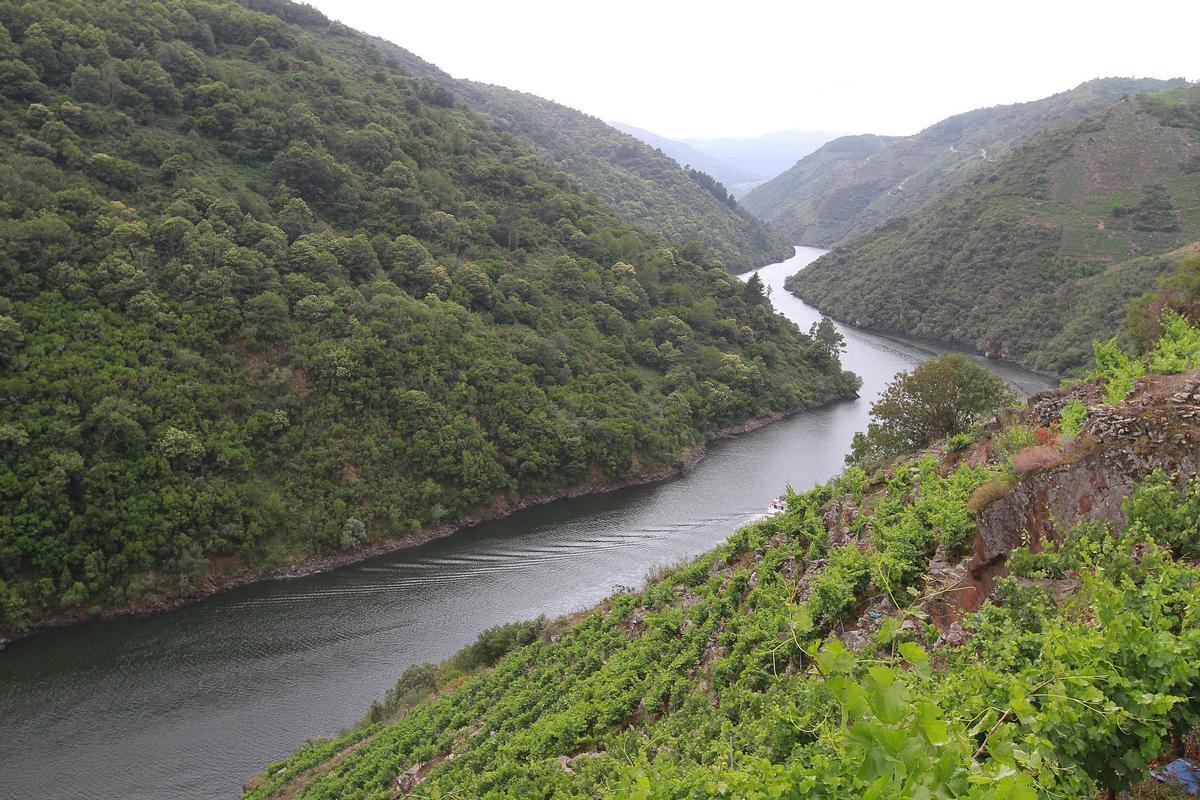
<point x="1041" y="254"/>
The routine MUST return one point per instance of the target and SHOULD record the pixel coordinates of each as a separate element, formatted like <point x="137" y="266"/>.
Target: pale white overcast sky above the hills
<point x="740" y="69"/>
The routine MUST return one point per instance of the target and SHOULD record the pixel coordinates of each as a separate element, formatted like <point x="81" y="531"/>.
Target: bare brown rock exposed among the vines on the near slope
<point x="1156" y="428"/>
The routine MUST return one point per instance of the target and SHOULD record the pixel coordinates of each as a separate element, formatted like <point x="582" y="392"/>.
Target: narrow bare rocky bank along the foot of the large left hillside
<point x="323" y="563"/>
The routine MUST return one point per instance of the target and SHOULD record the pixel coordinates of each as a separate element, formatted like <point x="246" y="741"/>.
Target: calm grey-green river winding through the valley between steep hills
<point x="191" y="703"/>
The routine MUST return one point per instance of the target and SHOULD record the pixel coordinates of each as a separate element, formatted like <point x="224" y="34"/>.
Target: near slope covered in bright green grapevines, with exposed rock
<point x="866" y="643"/>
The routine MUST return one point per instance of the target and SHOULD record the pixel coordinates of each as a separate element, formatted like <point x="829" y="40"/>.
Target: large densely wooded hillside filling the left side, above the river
<point x="266" y="294"/>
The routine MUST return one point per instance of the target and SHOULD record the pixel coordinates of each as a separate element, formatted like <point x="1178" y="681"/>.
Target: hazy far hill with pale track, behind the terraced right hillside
<point x="831" y="197"/>
